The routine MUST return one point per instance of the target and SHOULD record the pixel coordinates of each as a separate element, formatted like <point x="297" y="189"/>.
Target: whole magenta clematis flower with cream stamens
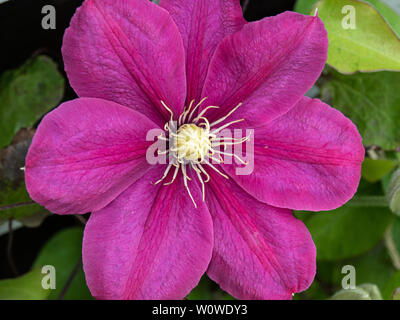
<point x="134" y="65"/>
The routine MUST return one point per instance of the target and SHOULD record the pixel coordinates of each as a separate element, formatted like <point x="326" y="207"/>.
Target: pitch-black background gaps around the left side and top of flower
<point x="21" y="36"/>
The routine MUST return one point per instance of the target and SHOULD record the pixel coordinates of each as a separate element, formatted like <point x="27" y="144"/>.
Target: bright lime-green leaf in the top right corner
<point x="371" y="45"/>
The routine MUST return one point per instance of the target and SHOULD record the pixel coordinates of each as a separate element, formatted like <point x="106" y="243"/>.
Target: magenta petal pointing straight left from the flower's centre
<point x="84" y="154"/>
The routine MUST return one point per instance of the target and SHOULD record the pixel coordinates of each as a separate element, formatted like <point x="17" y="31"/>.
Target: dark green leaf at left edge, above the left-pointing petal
<point x="26" y="94"/>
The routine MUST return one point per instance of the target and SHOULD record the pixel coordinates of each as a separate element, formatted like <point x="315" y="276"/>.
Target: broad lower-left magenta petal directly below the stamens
<point x="150" y="243"/>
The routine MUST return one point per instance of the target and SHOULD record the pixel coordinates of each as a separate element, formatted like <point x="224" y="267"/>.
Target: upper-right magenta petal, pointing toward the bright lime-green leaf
<point x="268" y="66"/>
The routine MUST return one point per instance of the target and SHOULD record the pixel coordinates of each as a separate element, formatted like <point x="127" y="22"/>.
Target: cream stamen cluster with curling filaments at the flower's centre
<point x="194" y="142"/>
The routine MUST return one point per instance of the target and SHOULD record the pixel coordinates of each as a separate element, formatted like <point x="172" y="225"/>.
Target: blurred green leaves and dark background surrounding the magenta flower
<point x="361" y="79"/>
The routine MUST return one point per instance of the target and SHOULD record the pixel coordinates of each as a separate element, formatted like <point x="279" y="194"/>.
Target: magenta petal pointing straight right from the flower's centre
<point x="307" y="159"/>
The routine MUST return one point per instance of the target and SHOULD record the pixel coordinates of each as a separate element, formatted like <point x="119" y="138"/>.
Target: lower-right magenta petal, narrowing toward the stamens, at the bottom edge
<point x="260" y="252"/>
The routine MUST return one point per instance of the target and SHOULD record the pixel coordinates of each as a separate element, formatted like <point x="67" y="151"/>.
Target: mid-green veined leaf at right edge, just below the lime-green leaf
<point x="371" y="101"/>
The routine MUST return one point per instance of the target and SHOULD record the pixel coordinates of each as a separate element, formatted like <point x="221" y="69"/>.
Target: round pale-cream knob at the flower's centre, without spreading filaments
<point x="192" y="142"/>
